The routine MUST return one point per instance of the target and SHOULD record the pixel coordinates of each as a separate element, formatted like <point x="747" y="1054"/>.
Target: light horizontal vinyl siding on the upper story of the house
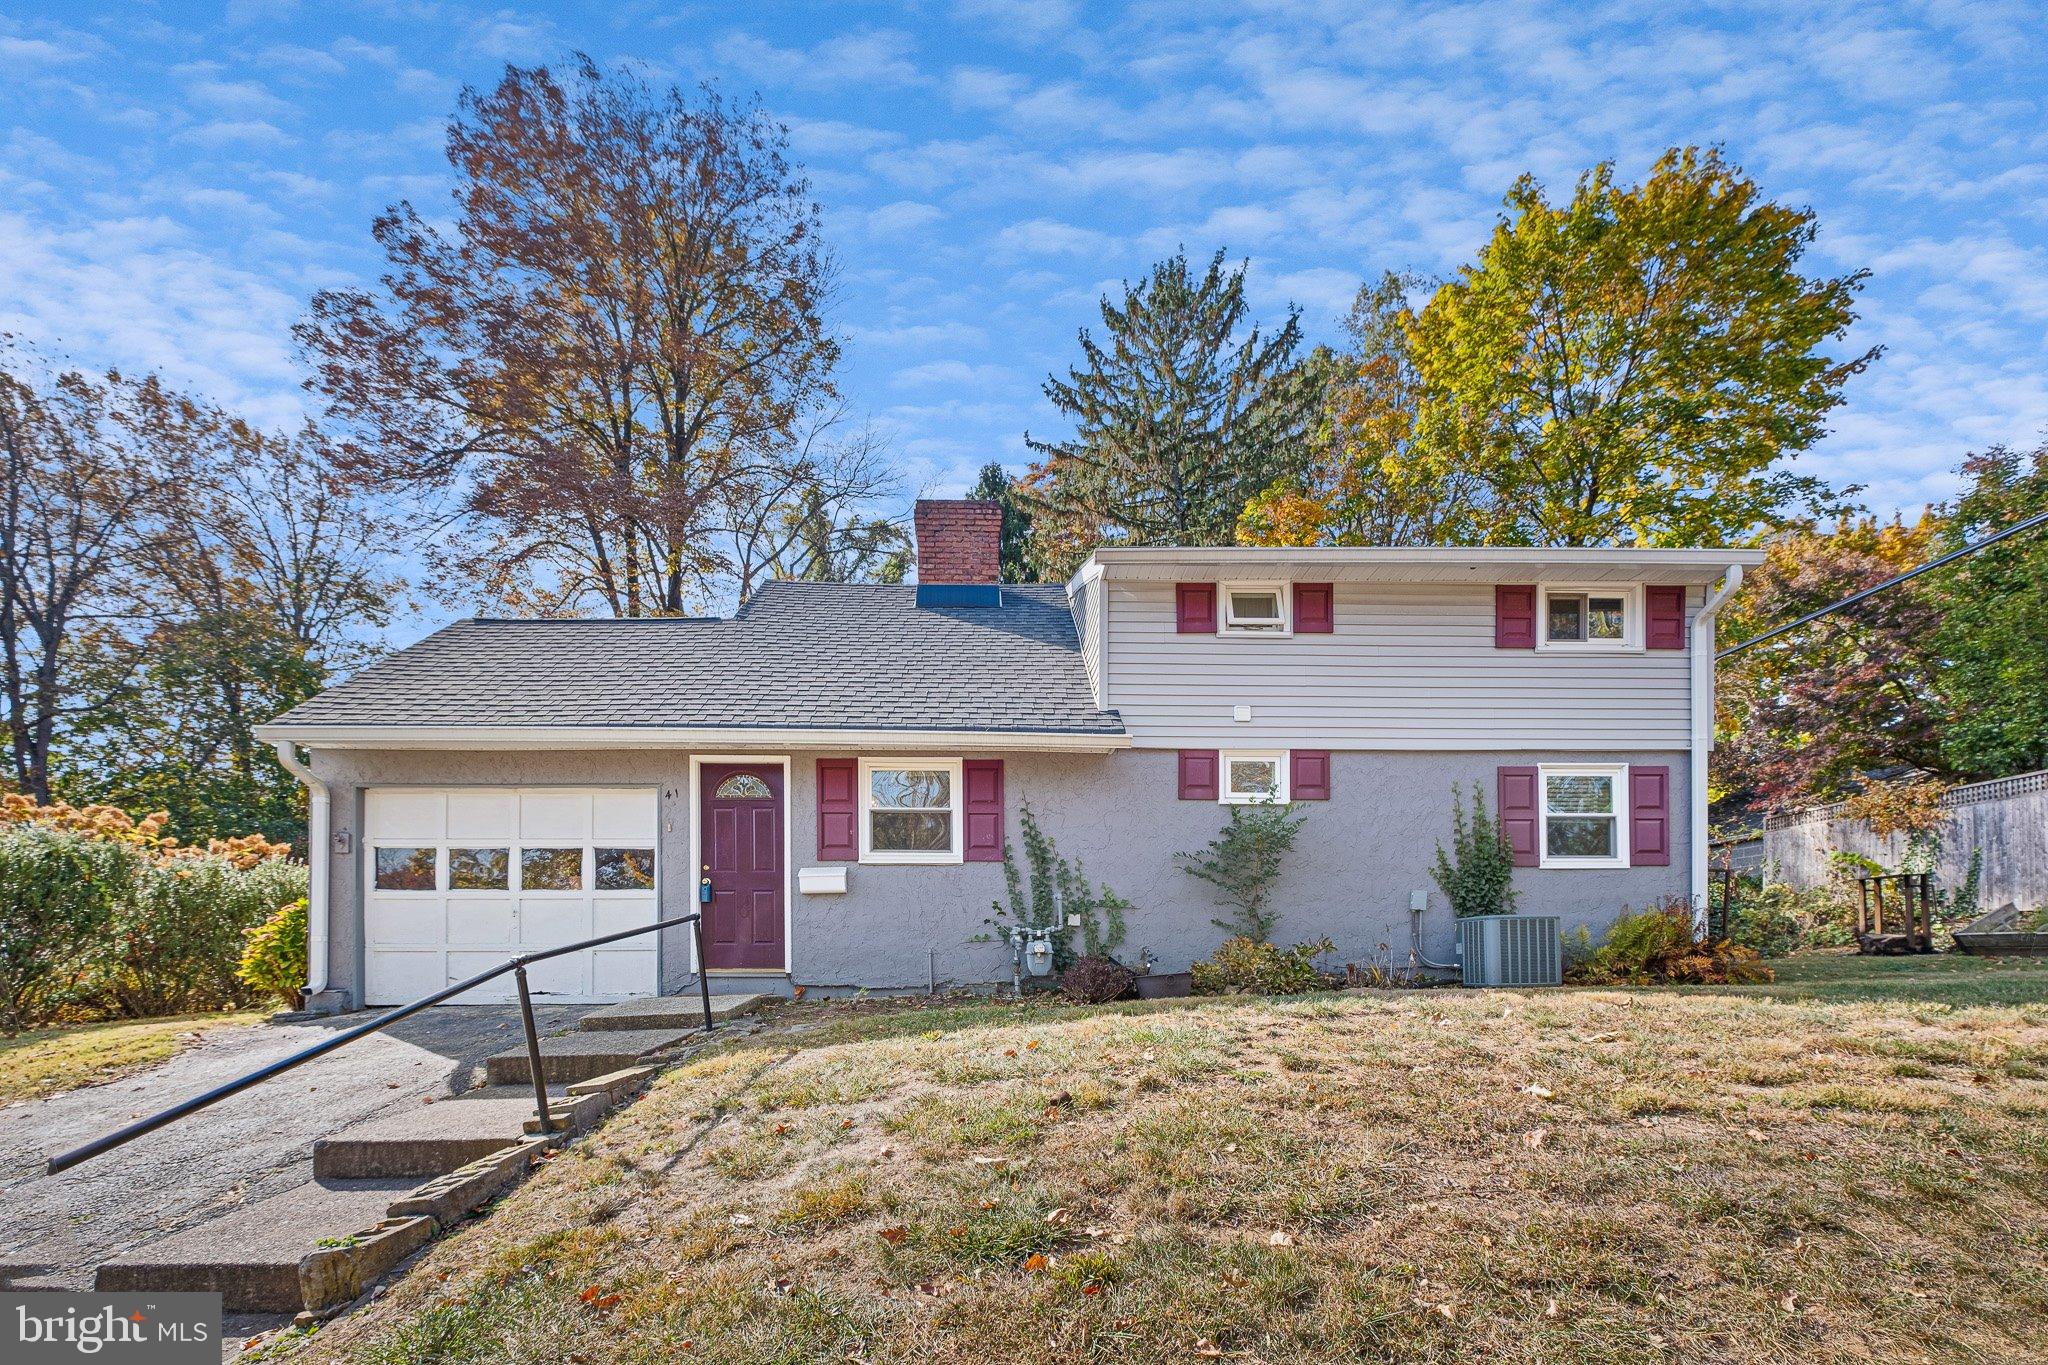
<point x="1410" y="666"/>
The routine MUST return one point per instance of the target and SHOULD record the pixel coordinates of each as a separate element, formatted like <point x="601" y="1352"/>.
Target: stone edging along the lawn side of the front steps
<point x="333" y="1278"/>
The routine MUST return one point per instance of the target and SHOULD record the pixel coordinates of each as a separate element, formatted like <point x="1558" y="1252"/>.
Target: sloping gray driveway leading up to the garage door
<point x="239" y="1151"/>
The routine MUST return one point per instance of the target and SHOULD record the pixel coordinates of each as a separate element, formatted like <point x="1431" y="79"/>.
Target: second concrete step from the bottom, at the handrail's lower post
<point x="441" y="1137"/>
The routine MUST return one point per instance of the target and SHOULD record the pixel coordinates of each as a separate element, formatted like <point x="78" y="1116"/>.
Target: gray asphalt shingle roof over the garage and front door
<point x="800" y="656"/>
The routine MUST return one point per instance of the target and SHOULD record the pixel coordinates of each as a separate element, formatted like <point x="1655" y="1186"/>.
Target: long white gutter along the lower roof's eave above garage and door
<point x="679" y="738"/>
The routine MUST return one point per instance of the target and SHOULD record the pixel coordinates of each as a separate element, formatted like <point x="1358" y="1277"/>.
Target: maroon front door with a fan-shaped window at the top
<point x="742" y="840"/>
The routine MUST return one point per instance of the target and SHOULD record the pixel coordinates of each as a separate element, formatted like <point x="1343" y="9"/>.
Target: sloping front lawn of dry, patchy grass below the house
<point x="1592" y="1176"/>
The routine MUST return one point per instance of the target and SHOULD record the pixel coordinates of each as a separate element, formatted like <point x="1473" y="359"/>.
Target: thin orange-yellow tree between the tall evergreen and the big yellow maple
<point x="1367" y="480"/>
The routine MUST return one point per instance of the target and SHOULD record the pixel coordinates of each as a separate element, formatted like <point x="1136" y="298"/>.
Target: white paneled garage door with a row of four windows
<point x="462" y="879"/>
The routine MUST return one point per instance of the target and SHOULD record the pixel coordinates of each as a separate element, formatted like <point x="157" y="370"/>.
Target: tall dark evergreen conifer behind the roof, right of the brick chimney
<point x="1185" y="412"/>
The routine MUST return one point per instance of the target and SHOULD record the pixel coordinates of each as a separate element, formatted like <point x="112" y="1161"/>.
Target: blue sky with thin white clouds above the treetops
<point x="177" y="181"/>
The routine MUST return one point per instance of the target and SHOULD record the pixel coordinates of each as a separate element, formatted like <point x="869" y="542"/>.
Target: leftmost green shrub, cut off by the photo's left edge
<point x="58" y="897"/>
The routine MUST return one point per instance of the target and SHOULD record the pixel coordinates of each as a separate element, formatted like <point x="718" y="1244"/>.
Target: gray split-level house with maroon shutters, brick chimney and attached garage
<point x="833" y="775"/>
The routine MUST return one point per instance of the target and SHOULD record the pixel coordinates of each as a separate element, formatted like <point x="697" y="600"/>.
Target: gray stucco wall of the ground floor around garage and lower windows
<point x="1351" y="875"/>
